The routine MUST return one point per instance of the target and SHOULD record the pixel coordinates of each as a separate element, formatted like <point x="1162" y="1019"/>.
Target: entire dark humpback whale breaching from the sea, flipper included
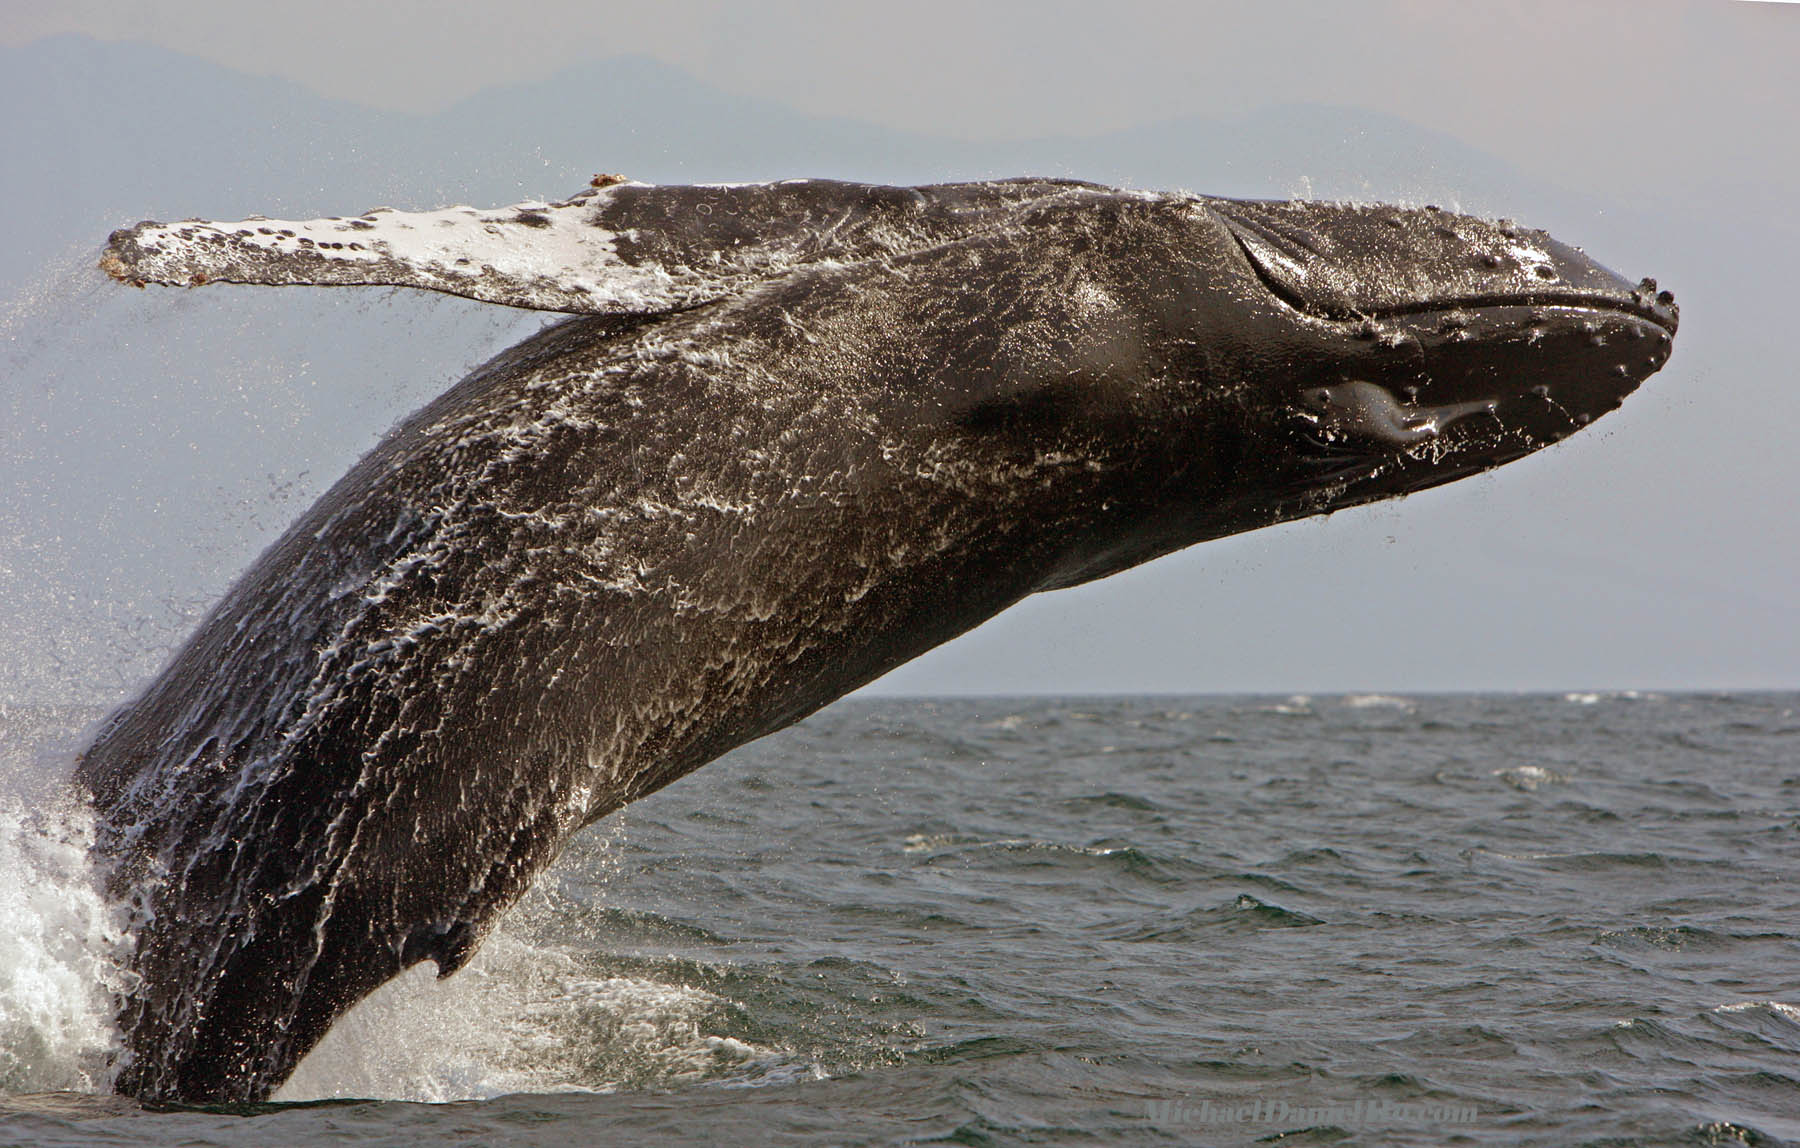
<point x="791" y="436"/>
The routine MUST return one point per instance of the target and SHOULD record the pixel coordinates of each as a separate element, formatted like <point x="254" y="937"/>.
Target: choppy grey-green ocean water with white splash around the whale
<point x="1336" y="920"/>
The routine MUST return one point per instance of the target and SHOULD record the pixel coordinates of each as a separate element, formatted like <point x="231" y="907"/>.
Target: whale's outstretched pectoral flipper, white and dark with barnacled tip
<point x="616" y="249"/>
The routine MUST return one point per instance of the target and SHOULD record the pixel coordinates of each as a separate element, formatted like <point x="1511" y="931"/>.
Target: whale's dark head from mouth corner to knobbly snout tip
<point x="1401" y="348"/>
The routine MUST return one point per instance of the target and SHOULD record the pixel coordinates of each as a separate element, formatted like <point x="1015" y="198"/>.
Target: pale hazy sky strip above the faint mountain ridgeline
<point x="1608" y="93"/>
